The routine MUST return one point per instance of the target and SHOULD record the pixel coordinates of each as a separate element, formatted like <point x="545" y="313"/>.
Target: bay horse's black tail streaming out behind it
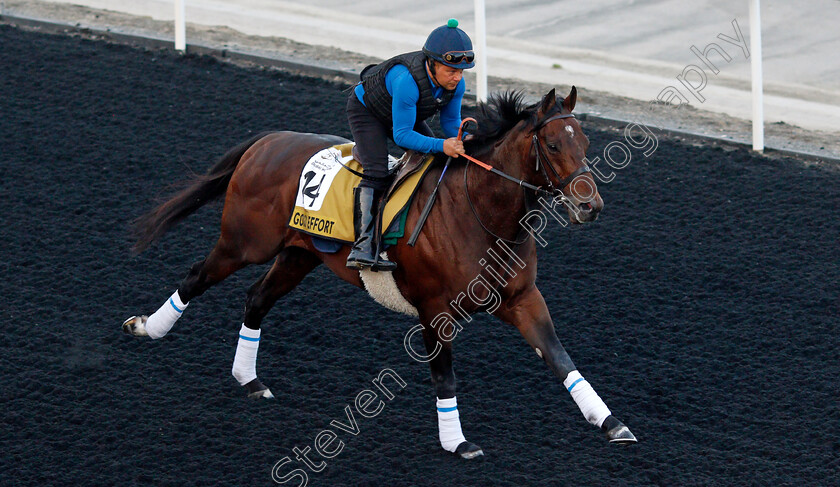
<point x="199" y="191"/>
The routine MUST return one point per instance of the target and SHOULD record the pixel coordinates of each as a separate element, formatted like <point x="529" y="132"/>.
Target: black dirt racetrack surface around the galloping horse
<point x="702" y="306"/>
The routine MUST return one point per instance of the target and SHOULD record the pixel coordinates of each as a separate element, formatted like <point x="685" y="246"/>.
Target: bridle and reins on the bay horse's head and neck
<point x="552" y="191"/>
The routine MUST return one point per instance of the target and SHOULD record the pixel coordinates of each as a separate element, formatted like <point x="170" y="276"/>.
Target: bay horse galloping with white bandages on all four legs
<point x="537" y="152"/>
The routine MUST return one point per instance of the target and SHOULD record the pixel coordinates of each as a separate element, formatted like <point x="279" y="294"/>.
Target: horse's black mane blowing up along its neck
<point x="500" y="113"/>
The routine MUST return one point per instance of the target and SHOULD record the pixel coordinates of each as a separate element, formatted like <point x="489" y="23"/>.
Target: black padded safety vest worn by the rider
<point x="378" y="100"/>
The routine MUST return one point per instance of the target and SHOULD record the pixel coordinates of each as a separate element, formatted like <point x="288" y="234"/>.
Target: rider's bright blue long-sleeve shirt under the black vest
<point x="405" y="93"/>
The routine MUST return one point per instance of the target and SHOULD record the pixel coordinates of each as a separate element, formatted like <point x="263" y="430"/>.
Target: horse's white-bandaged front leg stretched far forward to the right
<point x="528" y="312"/>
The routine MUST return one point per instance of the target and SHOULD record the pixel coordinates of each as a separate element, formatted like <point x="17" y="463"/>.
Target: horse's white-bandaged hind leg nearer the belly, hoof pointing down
<point x="291" y="266"/>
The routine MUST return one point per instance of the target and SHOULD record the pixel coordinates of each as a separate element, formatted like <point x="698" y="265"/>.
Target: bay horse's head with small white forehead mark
<point x="559" y="146"/>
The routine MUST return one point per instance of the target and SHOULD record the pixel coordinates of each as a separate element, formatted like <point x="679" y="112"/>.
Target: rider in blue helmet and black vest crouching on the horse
<point x="393" y="100"/>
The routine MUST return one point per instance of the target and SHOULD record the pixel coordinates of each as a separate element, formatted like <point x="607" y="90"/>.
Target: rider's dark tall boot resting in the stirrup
<point x="366" y="248"/>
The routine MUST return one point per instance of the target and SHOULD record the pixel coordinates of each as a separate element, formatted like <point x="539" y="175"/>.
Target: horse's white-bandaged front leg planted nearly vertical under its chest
<point x="439" y="349"/>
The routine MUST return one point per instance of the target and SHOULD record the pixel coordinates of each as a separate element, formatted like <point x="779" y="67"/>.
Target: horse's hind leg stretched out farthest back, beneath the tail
<point x="217" y="266"/>
